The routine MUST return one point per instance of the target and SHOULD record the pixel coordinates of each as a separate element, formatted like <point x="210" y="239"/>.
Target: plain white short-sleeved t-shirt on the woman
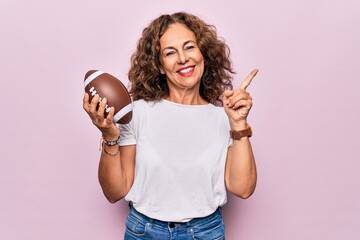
<point x="180" y="159"/>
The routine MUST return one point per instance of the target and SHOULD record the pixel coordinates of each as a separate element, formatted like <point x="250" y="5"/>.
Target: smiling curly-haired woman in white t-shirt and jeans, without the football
<point x="176" y="159"/>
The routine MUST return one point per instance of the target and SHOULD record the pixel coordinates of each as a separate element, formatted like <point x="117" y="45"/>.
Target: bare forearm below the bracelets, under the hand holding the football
<point x="111" y="174"/>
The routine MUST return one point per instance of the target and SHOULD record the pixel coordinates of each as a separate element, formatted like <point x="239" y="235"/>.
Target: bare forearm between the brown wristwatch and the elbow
<point x="241" y="168"/>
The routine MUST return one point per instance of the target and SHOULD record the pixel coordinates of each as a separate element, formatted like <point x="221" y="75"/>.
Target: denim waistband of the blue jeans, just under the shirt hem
<point x="195" y="221"/>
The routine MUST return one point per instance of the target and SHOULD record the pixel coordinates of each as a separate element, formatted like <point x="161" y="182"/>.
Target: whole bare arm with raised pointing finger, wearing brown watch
<point x="240" y="168"/>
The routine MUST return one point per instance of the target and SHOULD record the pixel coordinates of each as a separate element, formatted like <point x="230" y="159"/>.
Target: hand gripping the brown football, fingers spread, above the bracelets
<point x="106" y="125"/>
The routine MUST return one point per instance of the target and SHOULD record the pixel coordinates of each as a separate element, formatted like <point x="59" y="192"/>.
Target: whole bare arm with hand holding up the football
<point x="116" y="168"/>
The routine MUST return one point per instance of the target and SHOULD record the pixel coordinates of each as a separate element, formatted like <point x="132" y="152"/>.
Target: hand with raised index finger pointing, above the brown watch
<point x="237" y="103"/>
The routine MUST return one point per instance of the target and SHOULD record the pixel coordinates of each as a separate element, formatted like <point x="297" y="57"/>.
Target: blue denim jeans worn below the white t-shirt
<point x="141" y="227"/>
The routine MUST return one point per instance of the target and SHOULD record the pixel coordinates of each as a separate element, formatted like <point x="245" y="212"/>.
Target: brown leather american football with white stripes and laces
<point x="111" y="88"/>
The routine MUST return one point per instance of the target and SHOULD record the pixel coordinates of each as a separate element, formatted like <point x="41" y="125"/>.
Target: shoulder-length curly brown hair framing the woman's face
<point x="149" y="84"/>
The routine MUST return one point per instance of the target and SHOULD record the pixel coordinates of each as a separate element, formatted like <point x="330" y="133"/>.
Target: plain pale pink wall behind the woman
<point x="305" y="117"/>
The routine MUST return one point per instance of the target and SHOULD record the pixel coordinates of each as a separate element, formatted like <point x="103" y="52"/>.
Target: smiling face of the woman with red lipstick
<point x="181" y="59"/>
